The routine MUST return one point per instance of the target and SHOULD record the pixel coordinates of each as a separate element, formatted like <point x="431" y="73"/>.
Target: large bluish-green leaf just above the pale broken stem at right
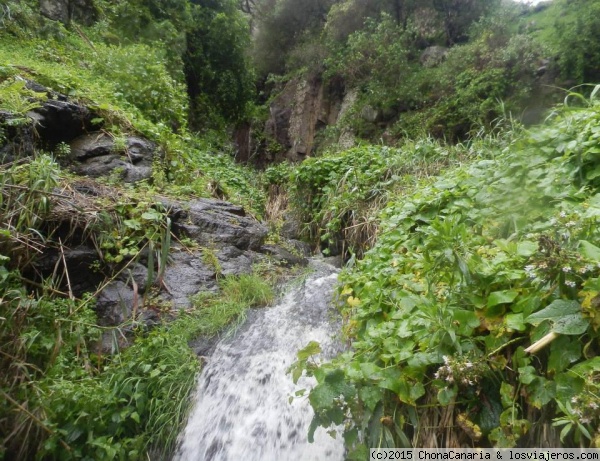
<point x="565" y="317"/>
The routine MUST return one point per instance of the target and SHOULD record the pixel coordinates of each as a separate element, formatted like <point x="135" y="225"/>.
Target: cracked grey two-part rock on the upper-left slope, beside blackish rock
<point x="97" y="154"/>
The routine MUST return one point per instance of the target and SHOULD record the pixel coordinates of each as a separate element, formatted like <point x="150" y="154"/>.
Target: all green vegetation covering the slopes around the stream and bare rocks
<point x="471" y="295"/>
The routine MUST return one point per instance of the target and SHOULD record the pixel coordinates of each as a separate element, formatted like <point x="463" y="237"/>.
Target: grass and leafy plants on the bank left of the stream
<point x="62" y="399"/>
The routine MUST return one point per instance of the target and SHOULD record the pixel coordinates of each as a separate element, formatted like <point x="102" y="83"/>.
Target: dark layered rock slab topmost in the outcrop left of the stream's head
<point x="215" y="223"/>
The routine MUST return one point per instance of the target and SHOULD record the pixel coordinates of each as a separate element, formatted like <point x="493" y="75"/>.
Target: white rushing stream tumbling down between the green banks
<point x="242" y="409"/>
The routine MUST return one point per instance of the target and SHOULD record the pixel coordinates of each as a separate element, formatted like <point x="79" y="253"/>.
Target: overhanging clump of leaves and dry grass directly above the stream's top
<point x="339" y="194"/>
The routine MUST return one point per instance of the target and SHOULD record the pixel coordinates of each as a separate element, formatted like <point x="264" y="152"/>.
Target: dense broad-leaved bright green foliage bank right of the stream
<point x="478" y="303"/>
